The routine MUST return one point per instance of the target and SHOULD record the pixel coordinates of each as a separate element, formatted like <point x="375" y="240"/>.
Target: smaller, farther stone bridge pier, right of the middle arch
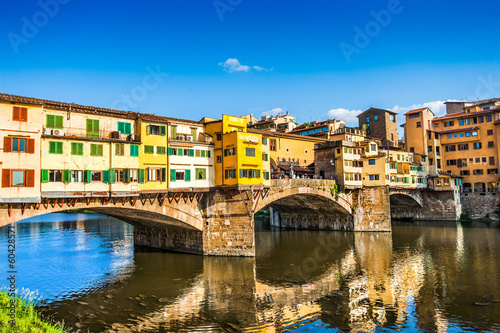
<point x="372" y="209"/>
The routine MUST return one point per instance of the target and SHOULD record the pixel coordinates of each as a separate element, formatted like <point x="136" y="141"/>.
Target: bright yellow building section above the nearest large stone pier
<point x="238" y="154"/>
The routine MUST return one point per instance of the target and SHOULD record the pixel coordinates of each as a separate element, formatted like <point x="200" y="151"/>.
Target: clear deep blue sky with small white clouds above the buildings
<point x="189" y="59"/>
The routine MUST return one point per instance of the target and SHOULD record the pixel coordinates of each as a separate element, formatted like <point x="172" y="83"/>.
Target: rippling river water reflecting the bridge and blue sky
<point x="437" y="277"/>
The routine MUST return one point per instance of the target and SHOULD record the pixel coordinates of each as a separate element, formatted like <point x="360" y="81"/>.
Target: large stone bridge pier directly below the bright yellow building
<point x="229" y="228"/>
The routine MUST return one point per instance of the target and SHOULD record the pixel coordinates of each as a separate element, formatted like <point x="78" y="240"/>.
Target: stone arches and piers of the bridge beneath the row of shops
<point x="220" y="221"/>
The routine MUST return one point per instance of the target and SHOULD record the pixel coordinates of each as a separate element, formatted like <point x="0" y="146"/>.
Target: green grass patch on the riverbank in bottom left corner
<point x="27" y="319"/>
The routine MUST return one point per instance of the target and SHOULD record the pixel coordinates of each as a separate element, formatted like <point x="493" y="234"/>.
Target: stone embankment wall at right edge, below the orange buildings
<point x="479" y="205"/>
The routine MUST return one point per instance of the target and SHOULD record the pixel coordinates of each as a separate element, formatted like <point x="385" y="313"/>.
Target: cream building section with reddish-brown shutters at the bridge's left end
<point x="20" y="129"/>
